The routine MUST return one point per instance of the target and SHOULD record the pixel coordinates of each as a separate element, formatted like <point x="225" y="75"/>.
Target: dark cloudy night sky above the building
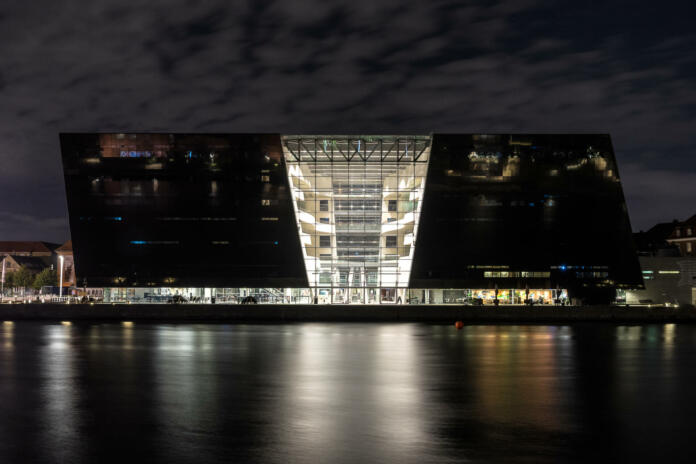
<point x="346" y="66"/>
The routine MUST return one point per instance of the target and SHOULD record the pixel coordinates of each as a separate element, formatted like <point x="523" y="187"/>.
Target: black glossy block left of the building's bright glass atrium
<point x="193" y="210"/>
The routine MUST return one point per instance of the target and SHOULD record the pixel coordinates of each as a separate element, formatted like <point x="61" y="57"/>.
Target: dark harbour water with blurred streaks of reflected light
<point x="344" y="392"/>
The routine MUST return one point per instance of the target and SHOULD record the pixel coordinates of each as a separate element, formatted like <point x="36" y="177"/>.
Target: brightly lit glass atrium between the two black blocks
<point x="357" y="201"/>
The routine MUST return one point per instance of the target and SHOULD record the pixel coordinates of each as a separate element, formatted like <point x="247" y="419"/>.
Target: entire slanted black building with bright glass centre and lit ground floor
<point x="443" y="218"/>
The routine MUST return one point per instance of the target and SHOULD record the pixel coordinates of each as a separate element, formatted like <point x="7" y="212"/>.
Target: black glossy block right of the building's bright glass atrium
<point x="525" y="211"/>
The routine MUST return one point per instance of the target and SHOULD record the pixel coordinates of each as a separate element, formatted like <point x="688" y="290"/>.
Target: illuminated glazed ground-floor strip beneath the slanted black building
<point x="342" y="295"/>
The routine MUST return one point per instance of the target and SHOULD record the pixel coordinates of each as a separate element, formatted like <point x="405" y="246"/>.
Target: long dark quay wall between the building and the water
<point x="308" y="313"/>
